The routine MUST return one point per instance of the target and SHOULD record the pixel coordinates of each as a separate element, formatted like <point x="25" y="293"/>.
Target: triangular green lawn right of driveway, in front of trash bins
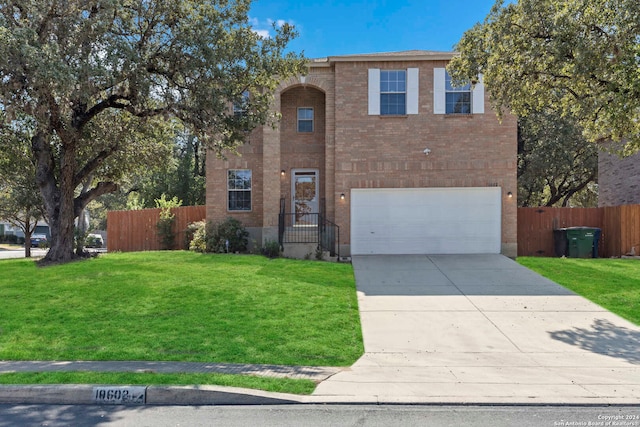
<point x="611" y="283"/>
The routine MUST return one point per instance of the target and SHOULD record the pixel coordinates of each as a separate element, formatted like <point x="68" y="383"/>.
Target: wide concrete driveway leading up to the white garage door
<point x="482" y="329"/>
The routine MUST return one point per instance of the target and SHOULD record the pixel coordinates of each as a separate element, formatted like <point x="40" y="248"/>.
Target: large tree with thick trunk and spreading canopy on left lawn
<point x="105" y="81"/>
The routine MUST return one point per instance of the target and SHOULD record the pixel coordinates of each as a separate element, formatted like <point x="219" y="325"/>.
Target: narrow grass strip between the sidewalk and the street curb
<point x="278" y="385"/>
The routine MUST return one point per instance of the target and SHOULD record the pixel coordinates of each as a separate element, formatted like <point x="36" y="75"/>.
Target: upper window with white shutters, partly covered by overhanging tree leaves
<point x="448" y="99"/>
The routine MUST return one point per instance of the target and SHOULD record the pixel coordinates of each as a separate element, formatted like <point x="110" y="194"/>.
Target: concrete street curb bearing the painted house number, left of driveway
<point x="71" y="394"/>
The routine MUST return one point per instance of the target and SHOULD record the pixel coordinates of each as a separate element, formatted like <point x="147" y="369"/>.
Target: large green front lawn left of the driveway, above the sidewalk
<point x="180" y="306"/>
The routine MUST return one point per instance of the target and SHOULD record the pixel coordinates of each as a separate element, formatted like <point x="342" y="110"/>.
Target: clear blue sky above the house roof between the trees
<point x="351" y="27"/>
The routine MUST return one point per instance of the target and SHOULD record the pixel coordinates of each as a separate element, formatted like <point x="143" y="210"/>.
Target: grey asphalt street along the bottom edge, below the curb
<point x="319" y="415"/>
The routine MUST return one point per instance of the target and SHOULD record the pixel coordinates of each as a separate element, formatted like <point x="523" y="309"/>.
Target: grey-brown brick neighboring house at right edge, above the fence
<point x="618" y="179"/>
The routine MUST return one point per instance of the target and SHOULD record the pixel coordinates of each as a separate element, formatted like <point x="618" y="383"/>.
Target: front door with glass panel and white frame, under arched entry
<point x="305" y="196"/>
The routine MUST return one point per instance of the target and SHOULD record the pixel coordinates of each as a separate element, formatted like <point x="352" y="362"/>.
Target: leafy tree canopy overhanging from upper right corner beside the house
<point x="580" y="58"/>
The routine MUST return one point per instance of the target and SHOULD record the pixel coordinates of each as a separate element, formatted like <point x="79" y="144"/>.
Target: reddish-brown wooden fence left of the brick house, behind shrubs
<point x="131" y="231"/>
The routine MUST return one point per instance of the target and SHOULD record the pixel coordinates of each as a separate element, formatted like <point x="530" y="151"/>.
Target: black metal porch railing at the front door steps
<point x="308" y="228"/>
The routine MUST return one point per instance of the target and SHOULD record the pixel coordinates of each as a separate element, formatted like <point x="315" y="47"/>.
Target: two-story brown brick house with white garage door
<point x="376" y="154"/>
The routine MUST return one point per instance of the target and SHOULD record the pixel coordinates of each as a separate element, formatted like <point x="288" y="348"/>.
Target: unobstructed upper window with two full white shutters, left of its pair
<point x="393" y="92"/>
